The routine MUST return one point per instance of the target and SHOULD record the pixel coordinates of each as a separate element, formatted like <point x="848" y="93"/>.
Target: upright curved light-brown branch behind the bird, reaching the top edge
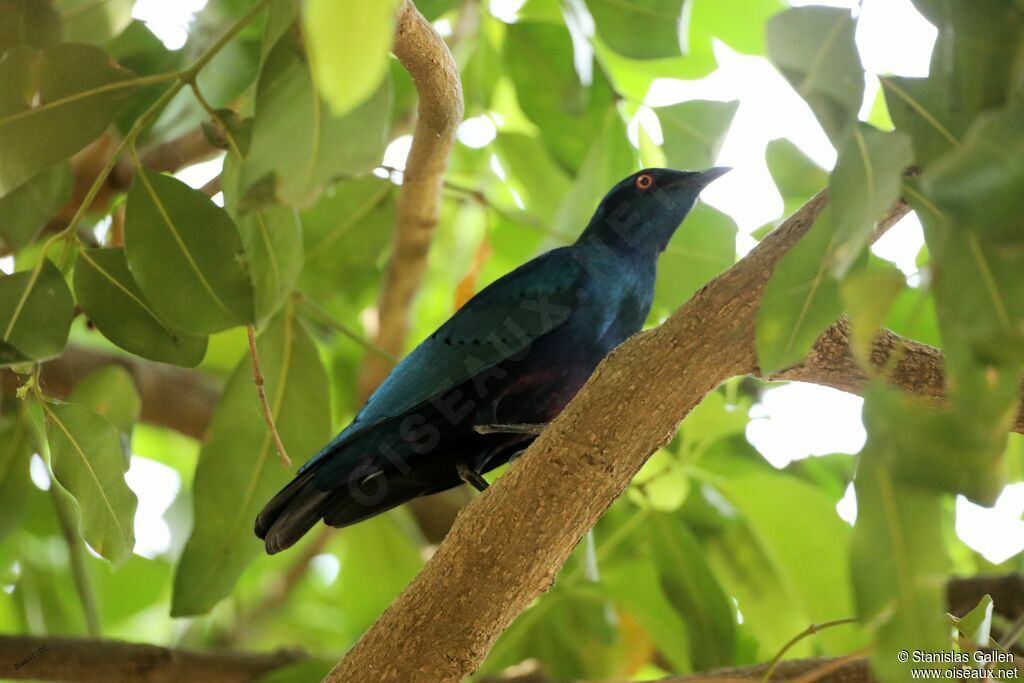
<point x="430" y="62"/>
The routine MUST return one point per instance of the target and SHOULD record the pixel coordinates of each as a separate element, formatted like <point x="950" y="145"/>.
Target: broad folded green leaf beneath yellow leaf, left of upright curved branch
<point x="298" y="146"/>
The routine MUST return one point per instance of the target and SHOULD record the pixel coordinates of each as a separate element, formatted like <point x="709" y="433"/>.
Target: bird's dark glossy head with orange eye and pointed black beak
<point x="643" y="212"/>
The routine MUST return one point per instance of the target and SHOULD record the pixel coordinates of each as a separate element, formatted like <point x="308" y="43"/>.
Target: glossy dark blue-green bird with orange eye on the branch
<point x="477" y="393"/>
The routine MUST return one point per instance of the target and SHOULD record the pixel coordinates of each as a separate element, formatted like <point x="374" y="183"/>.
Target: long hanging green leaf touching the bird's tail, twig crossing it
<point x="239" y="472"/>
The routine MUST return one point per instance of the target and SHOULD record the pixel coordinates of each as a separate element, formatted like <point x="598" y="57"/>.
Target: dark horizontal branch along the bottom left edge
<point x="81" y="661"/>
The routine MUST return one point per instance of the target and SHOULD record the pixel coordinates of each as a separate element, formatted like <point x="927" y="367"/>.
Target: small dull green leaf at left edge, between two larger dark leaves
<point x="25" y="211"/>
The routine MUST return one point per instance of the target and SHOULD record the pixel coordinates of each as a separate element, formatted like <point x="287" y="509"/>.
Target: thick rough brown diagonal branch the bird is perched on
<point x="506" y="548"/>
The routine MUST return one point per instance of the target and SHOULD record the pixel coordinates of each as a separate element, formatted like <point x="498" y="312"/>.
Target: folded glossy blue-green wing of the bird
<point x="498" y="324"/>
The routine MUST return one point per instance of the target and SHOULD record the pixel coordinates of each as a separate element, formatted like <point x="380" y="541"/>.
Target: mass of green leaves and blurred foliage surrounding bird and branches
<point x="714" y="558"/>
